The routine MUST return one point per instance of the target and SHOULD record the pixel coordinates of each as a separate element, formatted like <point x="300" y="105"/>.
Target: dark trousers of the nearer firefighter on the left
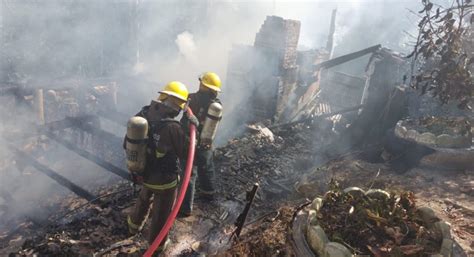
<point x="163" y="201"/>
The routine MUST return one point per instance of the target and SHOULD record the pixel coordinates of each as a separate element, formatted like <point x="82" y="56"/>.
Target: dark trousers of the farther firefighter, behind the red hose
<point x="204" y="167"/>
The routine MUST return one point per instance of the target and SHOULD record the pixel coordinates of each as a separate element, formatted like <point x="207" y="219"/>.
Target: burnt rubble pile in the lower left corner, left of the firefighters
<point x="81" y="228"/>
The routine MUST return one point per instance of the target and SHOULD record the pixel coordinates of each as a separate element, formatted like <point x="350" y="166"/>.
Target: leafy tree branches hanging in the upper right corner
<point x="441" y="53"/>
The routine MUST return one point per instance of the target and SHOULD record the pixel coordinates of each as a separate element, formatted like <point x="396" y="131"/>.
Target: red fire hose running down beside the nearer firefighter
<point x="187" y="175"/>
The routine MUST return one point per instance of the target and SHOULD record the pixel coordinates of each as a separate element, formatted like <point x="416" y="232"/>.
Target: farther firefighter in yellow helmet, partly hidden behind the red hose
<point x="199" y="103"/>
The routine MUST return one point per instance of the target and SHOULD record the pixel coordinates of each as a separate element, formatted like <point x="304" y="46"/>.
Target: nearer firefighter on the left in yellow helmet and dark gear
<point x="165" y="147"/>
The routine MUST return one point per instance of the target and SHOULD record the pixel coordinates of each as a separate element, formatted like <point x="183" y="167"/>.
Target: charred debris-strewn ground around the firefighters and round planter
<point x="277" y="162"/>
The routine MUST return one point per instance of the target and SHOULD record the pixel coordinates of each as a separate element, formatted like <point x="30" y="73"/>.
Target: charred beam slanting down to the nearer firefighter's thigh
<point x="89" y="156"/>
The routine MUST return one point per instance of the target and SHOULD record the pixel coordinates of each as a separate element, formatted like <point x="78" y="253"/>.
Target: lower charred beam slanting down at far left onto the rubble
<point x="26" y="158"/>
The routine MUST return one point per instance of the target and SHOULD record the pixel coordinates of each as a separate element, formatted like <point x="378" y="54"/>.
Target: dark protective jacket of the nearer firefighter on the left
<point x="166" y="145"/>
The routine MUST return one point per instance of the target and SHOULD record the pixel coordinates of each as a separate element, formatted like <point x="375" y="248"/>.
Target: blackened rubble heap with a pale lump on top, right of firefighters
<point x="275" y="161"/>
